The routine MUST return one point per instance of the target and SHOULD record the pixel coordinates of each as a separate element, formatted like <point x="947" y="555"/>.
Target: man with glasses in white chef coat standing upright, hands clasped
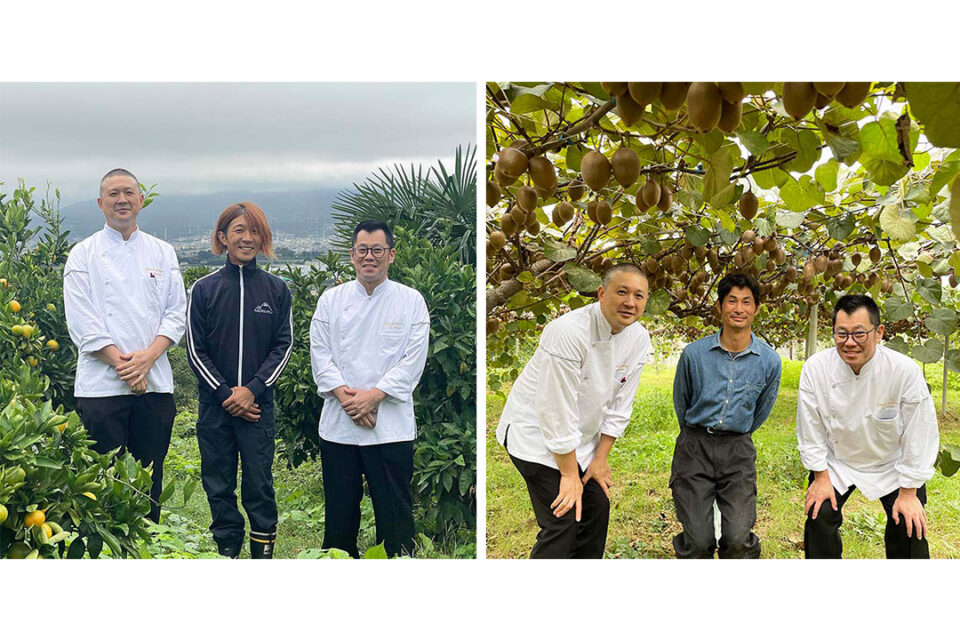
<point x="368" y="347"/>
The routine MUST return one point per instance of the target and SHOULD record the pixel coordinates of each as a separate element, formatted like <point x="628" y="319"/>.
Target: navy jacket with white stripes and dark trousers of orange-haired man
<point x="239" y="333"/>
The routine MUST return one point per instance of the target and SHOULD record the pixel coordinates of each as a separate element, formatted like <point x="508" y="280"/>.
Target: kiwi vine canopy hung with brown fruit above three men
<point x="815" y="188"/>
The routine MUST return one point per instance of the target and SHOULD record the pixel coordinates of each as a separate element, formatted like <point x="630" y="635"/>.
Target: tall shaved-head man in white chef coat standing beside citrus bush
<point x="125" y="306"/>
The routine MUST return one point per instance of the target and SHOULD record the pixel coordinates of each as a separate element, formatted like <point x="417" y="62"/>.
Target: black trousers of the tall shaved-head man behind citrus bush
<point x="139" y="424"/>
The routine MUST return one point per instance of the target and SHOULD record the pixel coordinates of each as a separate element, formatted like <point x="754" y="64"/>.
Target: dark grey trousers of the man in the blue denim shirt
<point x="721" y="467"/>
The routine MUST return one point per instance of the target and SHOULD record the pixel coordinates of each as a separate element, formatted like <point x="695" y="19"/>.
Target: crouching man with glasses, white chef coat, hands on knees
<point x="865" y="419"/>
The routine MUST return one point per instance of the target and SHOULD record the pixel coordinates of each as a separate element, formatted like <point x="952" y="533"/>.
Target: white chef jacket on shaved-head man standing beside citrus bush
<point x="125" y="293"/>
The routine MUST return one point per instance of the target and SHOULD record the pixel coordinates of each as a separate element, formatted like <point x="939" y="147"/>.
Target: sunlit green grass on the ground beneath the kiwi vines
<point x="642" y="517"/>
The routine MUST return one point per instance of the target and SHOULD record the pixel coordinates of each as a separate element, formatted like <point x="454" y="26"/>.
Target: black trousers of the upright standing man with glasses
<point x="388" y="469"/>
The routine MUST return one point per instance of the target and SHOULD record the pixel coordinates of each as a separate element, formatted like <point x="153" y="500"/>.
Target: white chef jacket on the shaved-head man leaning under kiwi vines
<point x="579" y="384"/>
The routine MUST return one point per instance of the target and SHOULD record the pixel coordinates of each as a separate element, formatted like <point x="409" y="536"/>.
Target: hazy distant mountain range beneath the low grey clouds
<point x="173" y="217"/>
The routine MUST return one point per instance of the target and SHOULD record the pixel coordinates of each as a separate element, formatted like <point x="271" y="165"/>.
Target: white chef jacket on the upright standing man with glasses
<point x="364" y="342"/>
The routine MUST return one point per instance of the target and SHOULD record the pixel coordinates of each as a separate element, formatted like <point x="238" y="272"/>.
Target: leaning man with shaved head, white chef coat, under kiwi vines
<point x="568" y="406"/>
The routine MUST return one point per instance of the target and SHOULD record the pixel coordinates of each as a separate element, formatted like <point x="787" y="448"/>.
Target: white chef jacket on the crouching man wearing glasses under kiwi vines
<point x="876" y="430"/>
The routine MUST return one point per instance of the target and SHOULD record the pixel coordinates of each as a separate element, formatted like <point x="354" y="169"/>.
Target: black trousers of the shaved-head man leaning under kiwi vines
<point x="564" y="537"/>
